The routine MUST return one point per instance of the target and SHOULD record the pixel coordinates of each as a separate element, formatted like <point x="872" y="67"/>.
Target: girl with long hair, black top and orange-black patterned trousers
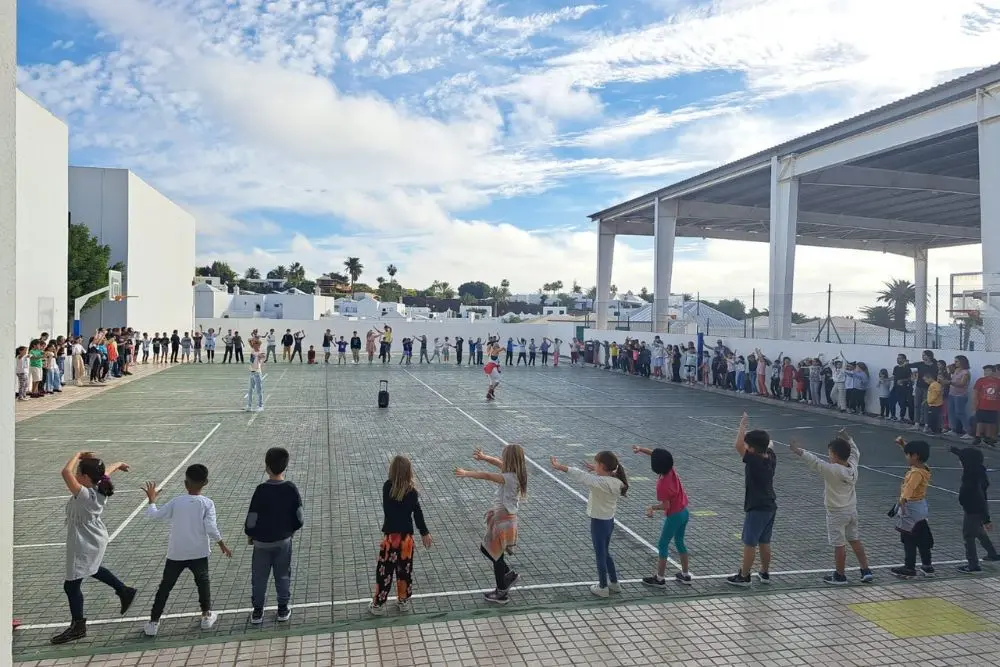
<point x="401" y="508"/>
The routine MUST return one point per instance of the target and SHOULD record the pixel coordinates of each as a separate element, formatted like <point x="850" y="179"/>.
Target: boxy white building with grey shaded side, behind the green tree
<point x="149" y="233"/>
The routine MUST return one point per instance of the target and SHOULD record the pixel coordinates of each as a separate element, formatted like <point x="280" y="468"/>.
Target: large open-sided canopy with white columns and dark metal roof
<point x="902" y="179"/>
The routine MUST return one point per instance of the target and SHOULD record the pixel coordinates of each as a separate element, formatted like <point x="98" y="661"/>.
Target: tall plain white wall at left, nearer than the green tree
<point x="42" y="221"/>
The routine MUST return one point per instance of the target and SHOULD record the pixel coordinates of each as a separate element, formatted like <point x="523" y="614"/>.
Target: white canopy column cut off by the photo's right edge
<point x="989" y="207"/>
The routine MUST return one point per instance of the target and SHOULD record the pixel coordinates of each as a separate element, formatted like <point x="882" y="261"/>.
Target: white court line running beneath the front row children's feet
<point x="453" y="593"/>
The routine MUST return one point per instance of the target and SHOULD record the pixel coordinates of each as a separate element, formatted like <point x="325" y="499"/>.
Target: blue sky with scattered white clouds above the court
<point x="470" y="139"/>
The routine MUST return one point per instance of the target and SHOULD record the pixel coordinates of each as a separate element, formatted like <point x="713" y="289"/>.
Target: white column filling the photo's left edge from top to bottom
<point x="8" y="228"/>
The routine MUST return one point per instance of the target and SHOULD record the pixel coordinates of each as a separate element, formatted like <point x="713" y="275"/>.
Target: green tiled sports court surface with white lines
<point x="341" y="445"/>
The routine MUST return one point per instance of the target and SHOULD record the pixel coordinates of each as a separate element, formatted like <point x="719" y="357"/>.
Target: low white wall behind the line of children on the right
<point x="874" y="356"/>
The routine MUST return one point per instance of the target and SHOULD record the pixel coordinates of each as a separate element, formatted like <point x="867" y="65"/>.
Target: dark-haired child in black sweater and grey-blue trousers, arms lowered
<point x="274" y="516"/>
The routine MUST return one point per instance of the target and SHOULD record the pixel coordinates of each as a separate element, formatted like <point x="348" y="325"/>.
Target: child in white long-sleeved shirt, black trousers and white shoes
<point x="192" y="525"/>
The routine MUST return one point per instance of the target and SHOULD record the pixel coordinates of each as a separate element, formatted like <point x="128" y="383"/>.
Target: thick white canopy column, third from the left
<point x="784" y="220"/>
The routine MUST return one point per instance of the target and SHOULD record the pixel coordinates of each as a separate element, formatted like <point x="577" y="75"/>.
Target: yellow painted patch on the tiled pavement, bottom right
<point x="922" y="617"/>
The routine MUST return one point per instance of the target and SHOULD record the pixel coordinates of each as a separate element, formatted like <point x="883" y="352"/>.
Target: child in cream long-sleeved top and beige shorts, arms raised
<point x="840" y="477"/>
